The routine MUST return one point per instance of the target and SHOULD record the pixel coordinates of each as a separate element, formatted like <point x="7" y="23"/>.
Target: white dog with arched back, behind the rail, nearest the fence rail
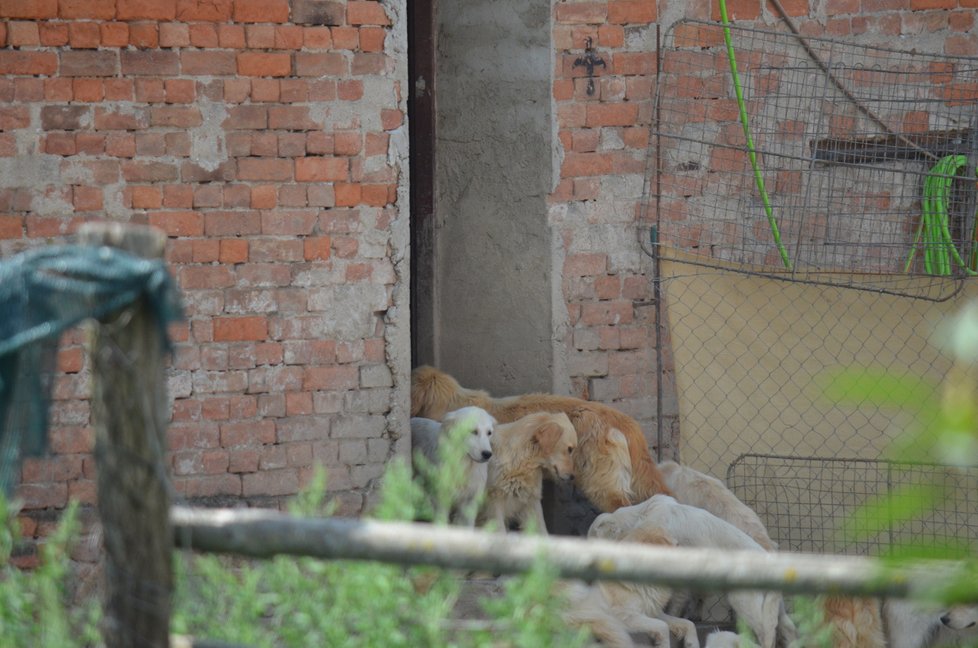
<point x="694" y="527"/>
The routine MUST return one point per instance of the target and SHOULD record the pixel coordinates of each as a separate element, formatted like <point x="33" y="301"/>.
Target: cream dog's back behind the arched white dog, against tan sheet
<point x="692" y="487"/>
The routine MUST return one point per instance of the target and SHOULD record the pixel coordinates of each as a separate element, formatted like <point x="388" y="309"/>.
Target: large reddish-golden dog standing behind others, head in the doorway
<point x="433" y="393"/>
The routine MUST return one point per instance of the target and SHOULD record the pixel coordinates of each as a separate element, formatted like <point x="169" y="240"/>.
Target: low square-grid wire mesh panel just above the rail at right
<point x="795" y="496"/>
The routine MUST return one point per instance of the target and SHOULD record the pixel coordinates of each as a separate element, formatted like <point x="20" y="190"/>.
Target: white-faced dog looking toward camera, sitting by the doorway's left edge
<point x="472" y="470"/>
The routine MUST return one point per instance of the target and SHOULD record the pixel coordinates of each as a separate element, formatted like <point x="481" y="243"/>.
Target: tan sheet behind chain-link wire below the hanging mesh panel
<point x="749" y="352"/>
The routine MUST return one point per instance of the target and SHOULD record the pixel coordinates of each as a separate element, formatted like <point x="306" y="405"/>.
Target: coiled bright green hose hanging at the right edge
<point x="934" y="233"/>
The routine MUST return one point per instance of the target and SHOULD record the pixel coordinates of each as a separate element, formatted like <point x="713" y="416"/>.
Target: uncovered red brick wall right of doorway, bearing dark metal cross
<point x="607" y="282"/>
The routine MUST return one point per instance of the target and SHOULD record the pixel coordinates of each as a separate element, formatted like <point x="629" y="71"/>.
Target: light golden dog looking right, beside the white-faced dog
<point x="523" y="451"/>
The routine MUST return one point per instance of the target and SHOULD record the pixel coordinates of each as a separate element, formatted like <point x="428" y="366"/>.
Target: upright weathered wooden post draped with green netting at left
<point x="129" y="415"/>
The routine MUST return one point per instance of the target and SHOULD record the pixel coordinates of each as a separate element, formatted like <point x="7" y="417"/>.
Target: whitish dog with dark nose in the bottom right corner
<point x="910" y="624"/>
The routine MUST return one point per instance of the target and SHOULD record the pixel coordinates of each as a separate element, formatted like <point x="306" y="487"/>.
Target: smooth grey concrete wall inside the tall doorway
<point x="493" y="257"/>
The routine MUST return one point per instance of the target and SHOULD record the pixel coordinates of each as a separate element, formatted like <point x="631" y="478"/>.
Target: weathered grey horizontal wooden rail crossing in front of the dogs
<point x="264" y="534"/>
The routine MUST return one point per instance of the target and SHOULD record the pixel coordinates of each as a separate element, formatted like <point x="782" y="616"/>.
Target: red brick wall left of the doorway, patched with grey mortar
<point x="261" y="136"/>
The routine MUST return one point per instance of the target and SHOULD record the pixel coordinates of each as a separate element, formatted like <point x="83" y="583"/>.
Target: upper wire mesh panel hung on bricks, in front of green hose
<point x="864" y="158"/>
